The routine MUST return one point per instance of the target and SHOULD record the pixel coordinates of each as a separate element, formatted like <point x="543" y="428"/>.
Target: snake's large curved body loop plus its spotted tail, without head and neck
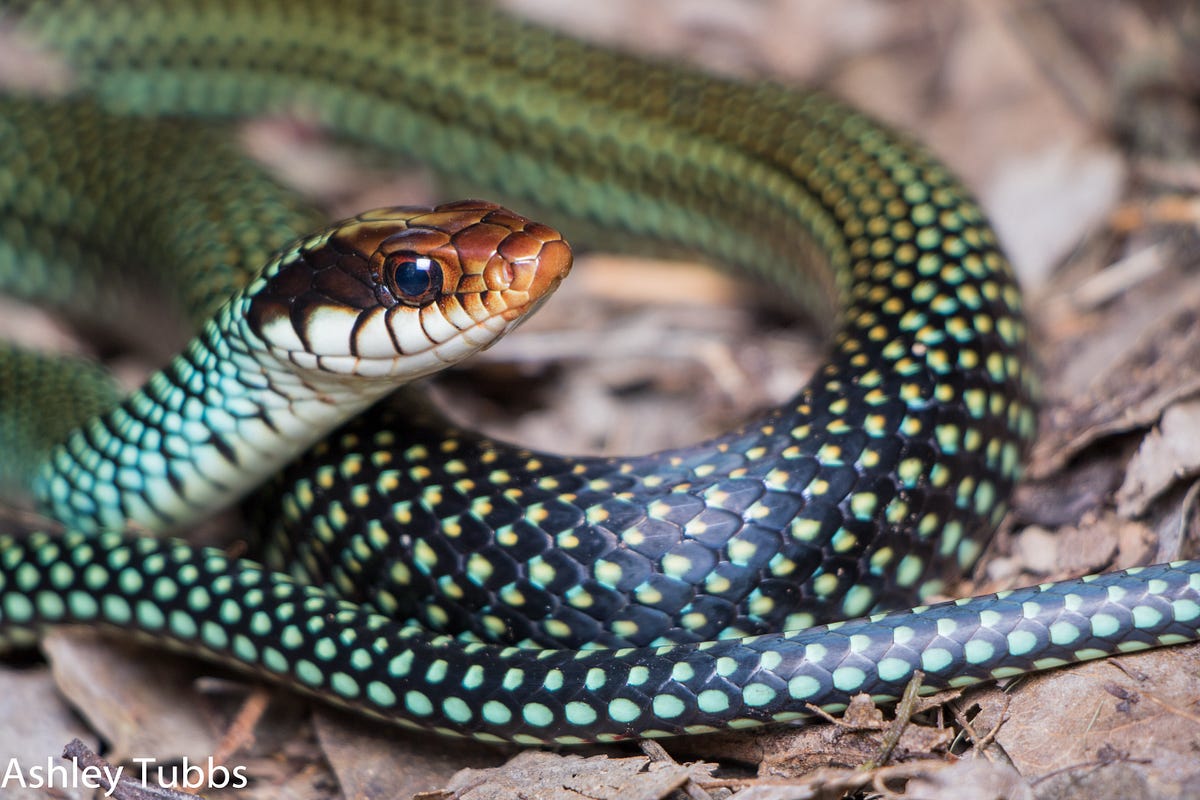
<point x="593" y="599"/>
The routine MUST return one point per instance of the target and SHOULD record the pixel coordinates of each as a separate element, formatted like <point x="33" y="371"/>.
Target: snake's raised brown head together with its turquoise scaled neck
<point x="322" y="333"/>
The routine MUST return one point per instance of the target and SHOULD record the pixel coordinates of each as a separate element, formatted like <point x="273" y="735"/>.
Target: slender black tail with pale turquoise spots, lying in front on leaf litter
<point x="203" y="603"/>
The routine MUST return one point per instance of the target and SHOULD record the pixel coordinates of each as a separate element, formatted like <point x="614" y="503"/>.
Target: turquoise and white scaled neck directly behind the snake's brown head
<point x="197" y="436"/>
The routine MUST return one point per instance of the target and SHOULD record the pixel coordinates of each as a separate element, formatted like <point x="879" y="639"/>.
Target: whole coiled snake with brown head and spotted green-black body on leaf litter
<point x="440" y="580"/>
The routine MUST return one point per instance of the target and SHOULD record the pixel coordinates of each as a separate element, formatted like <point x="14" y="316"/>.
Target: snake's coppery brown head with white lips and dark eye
<point x="403" y="292"/>
